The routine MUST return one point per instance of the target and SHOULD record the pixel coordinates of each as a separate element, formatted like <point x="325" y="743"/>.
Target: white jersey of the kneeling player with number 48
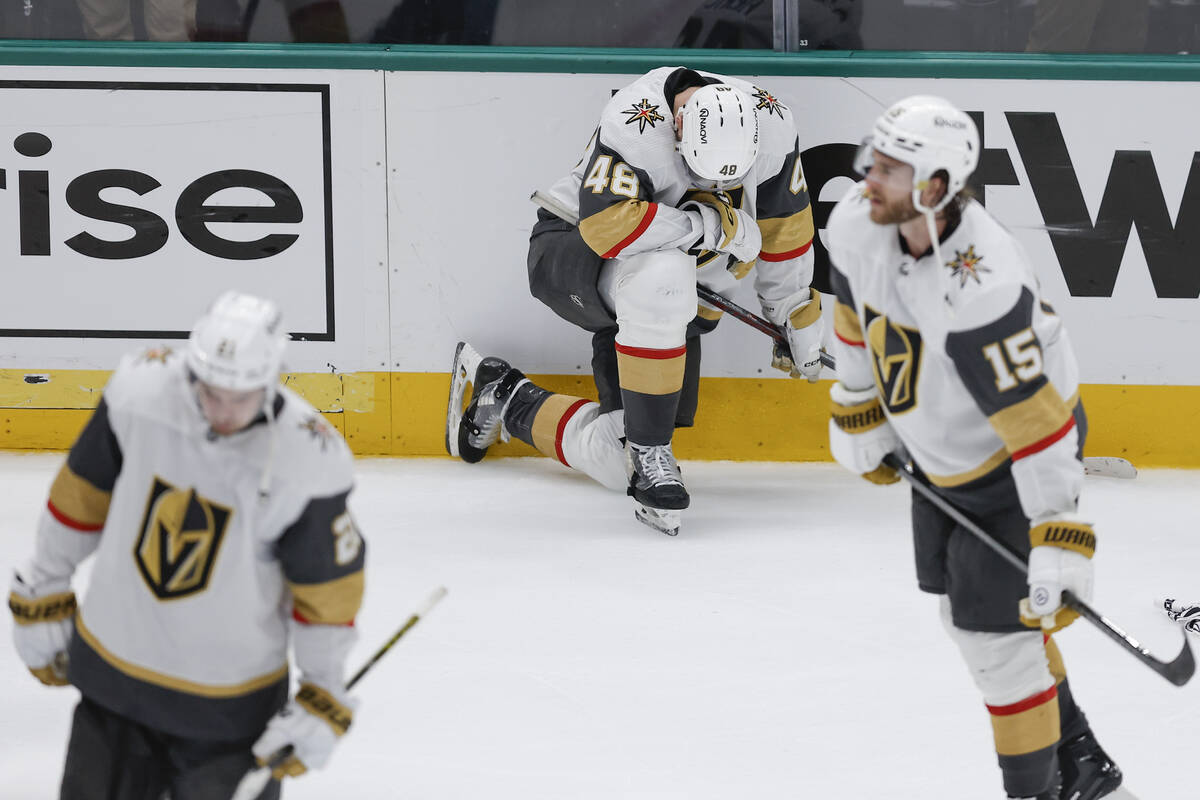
<point x="631" y="181"/>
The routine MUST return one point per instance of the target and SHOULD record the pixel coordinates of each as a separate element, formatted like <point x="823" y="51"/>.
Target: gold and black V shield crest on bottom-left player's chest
<point x="179" y="542"/>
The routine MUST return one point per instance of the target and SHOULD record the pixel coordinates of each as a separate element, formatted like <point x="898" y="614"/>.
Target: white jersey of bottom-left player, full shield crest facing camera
<point x="207" y="549"/>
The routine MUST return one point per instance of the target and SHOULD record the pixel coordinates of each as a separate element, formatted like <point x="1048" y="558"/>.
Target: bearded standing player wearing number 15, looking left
<point x="946" y="350"/>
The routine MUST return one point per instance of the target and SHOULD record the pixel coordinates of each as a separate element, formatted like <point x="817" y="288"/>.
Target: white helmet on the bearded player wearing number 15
<point x="931" y="135"/>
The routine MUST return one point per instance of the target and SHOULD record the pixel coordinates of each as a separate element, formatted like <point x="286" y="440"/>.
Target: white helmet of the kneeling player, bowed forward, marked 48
<point x="721" y="134"/>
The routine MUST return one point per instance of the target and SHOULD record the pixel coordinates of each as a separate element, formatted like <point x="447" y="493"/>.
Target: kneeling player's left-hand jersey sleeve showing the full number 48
<point x="619" y="216"/>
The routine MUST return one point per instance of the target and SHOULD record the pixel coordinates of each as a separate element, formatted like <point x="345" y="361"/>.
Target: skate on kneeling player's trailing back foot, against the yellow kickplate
<point x="471" y="432"/>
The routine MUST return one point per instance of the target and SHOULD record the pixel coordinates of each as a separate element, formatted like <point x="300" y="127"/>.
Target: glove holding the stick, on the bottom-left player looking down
<point x="313" y="723"/>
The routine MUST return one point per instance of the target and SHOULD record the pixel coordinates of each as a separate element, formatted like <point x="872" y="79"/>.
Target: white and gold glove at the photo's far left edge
<point x="44" y="618"/>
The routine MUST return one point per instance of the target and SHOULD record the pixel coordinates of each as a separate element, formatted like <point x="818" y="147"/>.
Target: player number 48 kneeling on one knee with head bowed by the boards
<point x="689" y="178"/>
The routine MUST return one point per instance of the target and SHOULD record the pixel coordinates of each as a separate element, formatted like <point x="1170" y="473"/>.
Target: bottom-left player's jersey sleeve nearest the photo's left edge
<point x="75" y="515"/>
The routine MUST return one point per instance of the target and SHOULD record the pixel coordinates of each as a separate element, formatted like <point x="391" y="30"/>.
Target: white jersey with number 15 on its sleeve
<point x="974" y="368"/>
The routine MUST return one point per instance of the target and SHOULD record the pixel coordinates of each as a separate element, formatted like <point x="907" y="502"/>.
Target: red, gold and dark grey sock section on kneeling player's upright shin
<point x="651" y="383"/>
